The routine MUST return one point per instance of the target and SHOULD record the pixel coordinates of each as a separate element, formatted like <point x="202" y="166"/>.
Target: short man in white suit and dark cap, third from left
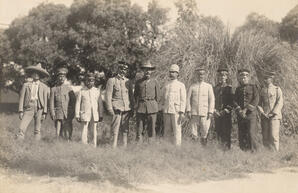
<point x="89" y="108"/>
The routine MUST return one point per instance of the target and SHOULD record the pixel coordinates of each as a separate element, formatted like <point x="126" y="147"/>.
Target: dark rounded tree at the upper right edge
<point x="289" y="26"/>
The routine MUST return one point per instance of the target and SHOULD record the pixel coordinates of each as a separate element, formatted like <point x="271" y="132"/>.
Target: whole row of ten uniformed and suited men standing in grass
<point x="145" y="97"/>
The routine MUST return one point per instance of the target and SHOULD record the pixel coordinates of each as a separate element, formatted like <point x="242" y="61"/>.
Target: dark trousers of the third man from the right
<point x="223" y="128"/>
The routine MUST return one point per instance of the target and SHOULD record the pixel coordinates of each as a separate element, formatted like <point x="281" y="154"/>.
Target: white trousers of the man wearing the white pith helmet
<point x="172" y="127"/>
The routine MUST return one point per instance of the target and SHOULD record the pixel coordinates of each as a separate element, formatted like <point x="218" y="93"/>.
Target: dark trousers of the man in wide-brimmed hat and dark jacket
<point x="146" y="123"/>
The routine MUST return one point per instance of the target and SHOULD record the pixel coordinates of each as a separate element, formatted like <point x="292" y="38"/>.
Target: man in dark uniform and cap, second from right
<point x="246" y="100"/>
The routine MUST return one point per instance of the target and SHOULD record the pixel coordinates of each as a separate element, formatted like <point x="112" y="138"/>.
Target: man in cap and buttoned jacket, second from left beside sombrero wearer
<point x="62" y="105"/>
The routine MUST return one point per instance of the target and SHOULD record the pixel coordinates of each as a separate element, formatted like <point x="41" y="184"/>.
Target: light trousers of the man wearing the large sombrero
<point x="29" y="114"/>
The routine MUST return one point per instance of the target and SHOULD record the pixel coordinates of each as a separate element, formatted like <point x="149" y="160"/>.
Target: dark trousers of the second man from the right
<point x="247" y="133"/>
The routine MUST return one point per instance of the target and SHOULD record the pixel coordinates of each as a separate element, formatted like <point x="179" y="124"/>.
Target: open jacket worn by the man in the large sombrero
<point x="25" y="96"/>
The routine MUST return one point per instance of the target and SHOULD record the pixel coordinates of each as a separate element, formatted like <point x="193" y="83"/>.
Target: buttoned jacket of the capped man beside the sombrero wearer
<point x="62" y="102"/>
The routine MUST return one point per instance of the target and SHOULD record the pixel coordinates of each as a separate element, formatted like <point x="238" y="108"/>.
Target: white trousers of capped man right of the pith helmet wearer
<point x="203" y="124"/>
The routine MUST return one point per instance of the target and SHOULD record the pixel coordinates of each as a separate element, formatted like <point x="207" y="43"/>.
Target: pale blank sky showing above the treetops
<point x="232" y="12"/>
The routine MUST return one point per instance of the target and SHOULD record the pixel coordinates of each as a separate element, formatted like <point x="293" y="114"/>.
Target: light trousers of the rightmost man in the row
<point x="270" y="132"/>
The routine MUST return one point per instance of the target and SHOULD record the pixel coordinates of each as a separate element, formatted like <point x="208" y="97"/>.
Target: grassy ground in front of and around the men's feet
<point x="159" y="162"/>
